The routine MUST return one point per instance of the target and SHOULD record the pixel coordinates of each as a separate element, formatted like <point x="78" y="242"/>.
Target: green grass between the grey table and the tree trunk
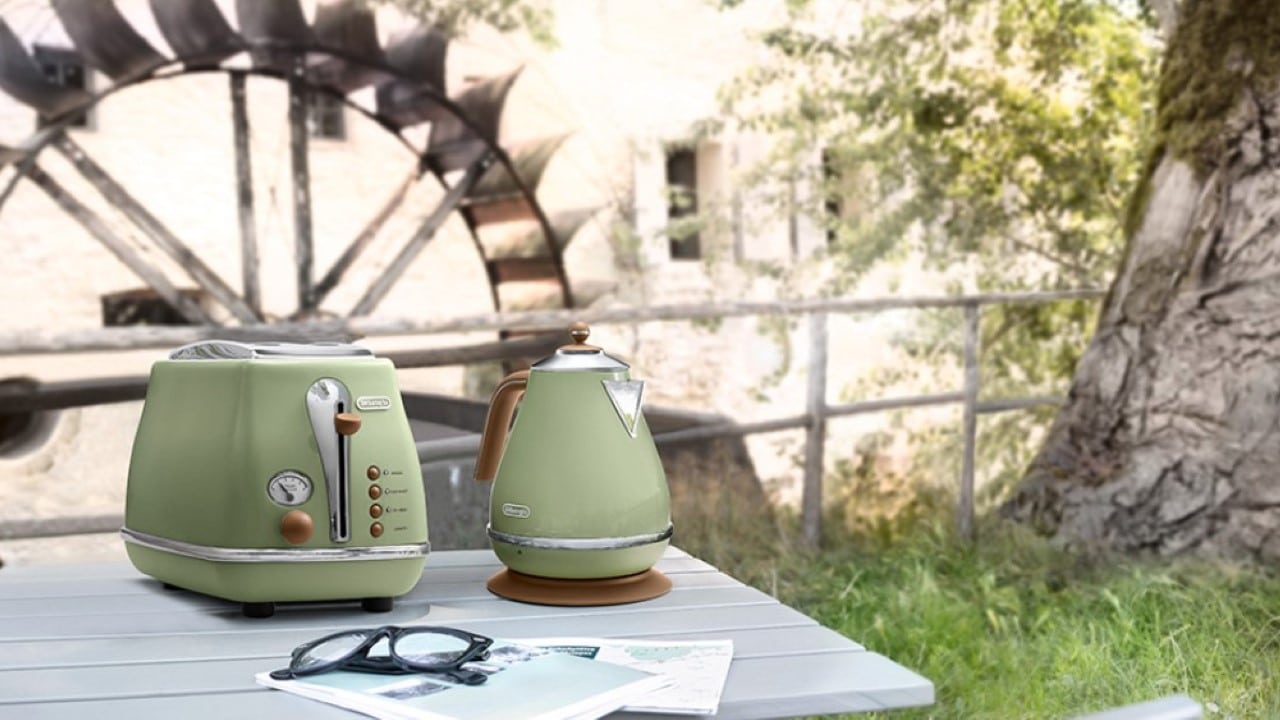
<point x="1013" y="627"/>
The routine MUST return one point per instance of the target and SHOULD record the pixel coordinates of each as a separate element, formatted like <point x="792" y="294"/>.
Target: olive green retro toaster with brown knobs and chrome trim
<point x="268" y="473"/>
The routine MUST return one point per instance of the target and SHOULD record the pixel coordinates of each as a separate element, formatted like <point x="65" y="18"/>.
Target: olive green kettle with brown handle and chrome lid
<point x="579" y="493"/>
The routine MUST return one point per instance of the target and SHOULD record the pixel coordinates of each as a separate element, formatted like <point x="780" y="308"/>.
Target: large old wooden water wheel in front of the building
<point x="487" y="180"/>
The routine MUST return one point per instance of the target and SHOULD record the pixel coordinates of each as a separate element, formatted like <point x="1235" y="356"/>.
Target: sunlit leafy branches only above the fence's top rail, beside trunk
<point x="999" y="133"/>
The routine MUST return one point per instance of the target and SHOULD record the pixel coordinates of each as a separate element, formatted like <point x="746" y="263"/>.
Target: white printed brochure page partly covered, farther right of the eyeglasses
<point x="698" y="669"/>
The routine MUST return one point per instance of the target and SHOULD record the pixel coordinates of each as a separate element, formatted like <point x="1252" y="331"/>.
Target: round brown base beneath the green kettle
<point x="579" y="593"/>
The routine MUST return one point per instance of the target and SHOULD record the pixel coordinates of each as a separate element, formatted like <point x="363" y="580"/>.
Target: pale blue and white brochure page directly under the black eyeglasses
<point x="524" y="683"/>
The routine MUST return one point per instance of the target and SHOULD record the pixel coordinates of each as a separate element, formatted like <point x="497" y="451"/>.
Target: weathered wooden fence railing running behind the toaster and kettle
<point x="815" y="420"/>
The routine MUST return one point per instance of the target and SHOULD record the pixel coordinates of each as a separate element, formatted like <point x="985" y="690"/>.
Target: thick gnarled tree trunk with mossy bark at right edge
<point x="1171" y="439"/>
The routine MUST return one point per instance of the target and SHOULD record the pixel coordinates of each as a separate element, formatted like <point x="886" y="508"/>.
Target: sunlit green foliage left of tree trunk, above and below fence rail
<point x="998" y="142"/>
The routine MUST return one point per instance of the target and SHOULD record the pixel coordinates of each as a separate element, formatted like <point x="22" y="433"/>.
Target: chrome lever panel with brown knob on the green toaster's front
<point x="328" y="404"/>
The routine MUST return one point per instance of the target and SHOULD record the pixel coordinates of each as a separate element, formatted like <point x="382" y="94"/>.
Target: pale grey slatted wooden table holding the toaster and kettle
<point x="102" y="641"/>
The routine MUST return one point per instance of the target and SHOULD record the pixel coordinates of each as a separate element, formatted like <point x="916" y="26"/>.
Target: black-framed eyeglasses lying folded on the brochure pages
<point x="409" y="650"/>
